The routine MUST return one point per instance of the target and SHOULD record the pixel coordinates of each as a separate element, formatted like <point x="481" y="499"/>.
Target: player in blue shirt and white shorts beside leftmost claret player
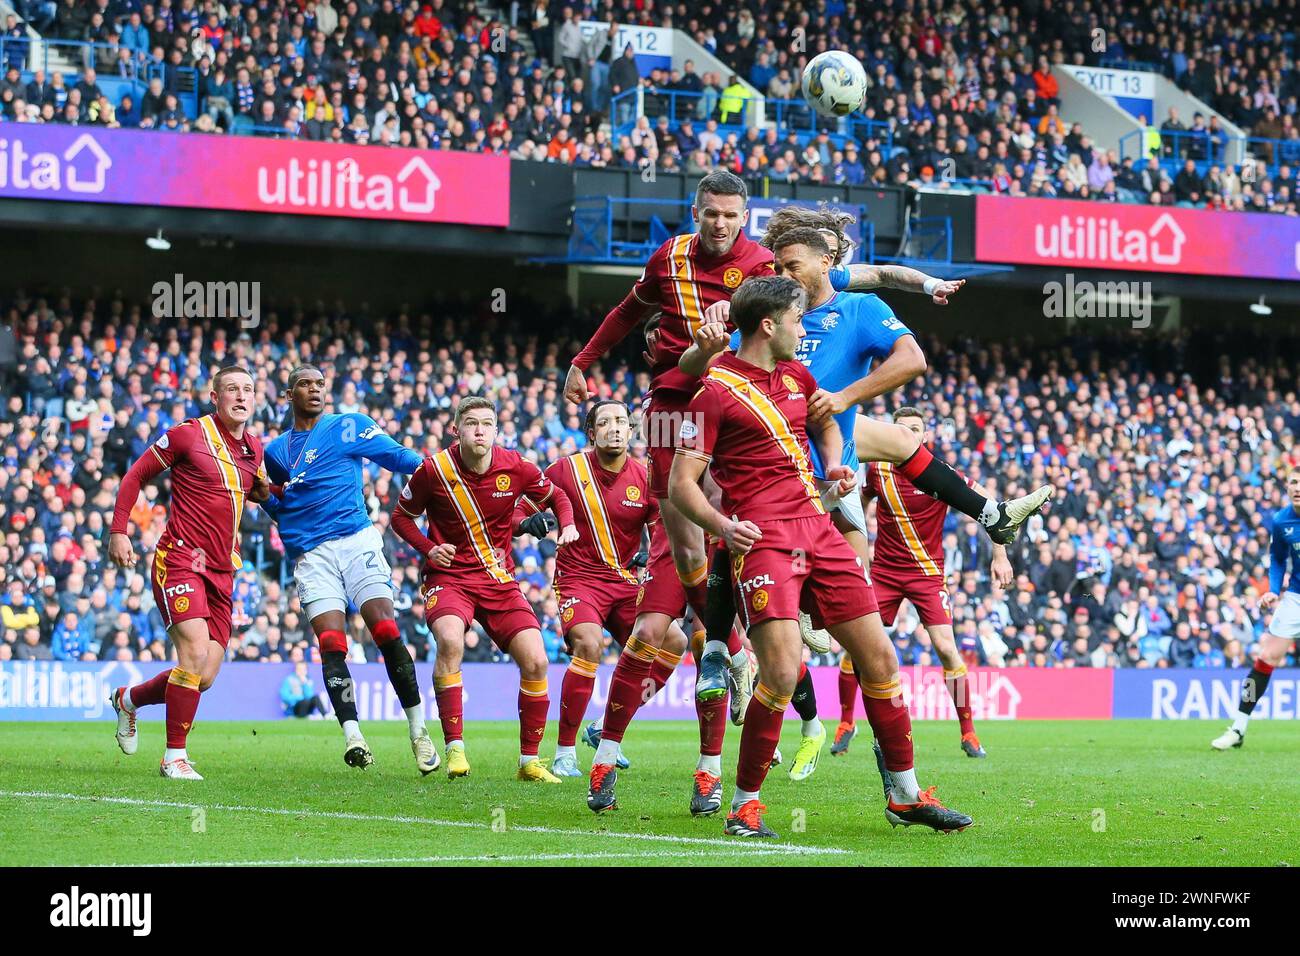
<point x="339" y="555"/>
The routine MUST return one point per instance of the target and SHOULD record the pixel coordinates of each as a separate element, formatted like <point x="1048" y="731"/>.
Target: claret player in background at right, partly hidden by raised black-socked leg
<point x="909" y="564"/>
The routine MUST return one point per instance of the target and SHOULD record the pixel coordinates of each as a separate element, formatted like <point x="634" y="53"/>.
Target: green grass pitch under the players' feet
<point x="1124" y="793"/>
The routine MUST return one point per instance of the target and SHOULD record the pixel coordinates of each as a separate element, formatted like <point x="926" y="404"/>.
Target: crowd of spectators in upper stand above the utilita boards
<point x="959" y="88"/>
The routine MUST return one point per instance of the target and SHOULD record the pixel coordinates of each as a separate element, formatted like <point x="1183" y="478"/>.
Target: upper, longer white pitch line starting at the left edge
<point x="426" y="821"/>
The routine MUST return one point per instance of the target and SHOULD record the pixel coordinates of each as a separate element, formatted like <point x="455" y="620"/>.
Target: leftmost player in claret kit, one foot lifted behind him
<point x="215" y="465"/>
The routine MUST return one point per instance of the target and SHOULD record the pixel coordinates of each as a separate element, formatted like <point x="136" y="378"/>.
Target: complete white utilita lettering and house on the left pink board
<point x="346" y="187"/>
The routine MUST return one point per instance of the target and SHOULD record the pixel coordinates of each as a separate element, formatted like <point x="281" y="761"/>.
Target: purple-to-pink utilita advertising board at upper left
<point x="253" y="175"/>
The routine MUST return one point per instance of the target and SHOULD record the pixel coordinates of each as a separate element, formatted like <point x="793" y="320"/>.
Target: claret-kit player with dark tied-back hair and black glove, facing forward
<point x="596" y="583"/>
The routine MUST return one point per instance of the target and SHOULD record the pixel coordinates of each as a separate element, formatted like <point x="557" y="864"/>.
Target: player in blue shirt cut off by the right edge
<point x="1285" y="628"/>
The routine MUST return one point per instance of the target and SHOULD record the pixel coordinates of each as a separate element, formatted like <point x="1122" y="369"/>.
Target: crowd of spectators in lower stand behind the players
<point x="1155" y="559"/>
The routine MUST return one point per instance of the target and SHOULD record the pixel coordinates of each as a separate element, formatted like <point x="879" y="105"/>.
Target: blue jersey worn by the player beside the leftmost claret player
<point x="322" y="475"/>
